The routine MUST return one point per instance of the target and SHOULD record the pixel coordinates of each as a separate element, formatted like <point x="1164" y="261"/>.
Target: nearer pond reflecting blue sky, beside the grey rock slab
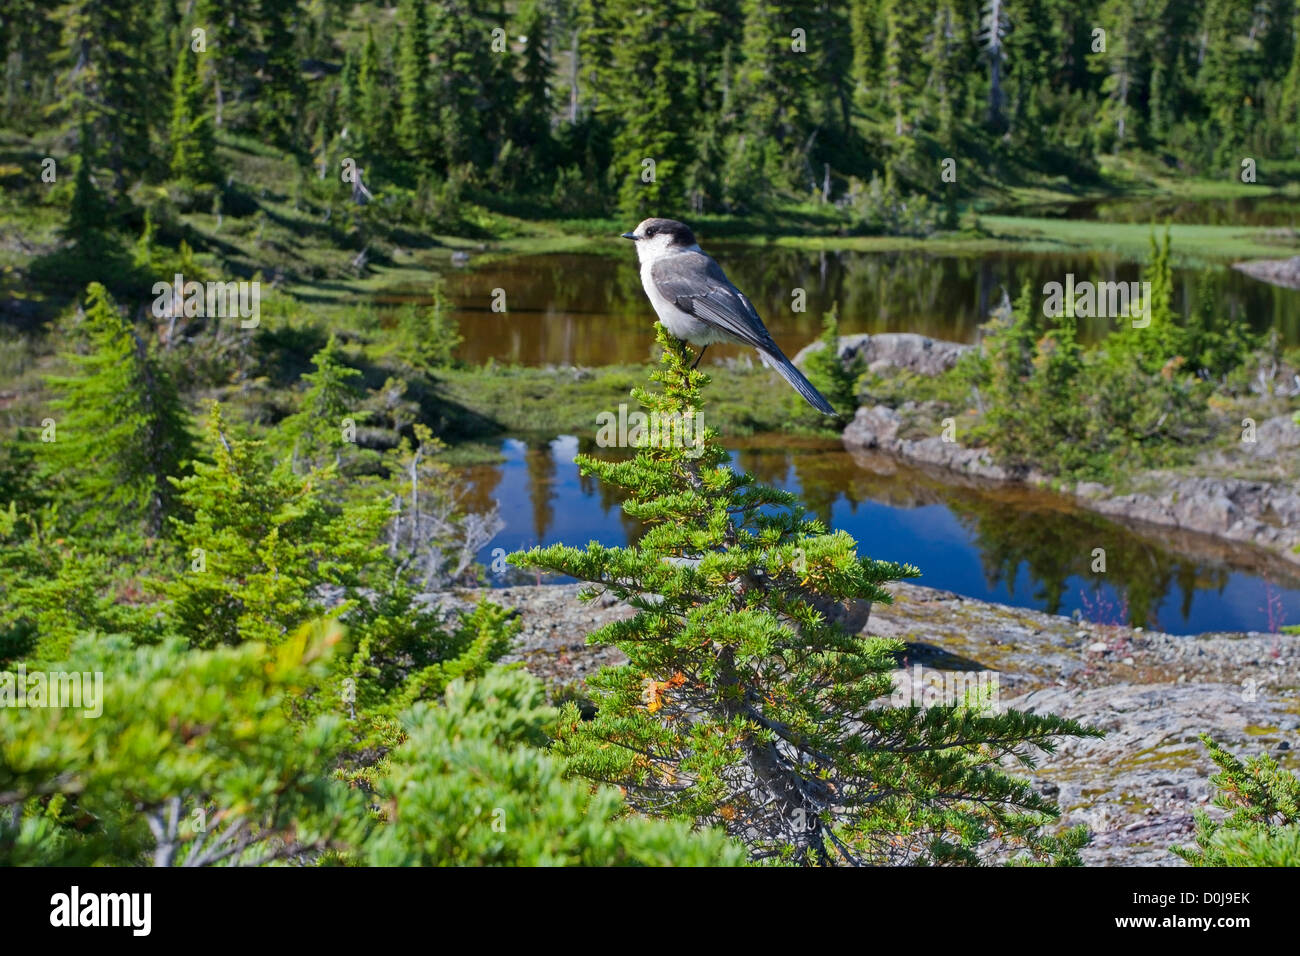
<point x="1016" y="547"/>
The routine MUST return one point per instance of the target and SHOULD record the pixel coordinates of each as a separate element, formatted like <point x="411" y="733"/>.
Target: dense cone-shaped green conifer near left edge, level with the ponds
<point x="123" y="429"/>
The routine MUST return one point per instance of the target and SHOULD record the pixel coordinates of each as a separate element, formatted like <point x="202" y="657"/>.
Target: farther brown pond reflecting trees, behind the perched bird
<point x="588" y="309"/>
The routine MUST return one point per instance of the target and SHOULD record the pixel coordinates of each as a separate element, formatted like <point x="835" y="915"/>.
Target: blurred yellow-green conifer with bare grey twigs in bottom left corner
<point x="196" y="760"/>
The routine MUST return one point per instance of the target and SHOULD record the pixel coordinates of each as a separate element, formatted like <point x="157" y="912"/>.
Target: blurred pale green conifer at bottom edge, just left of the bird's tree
<point x="475" y="786"/>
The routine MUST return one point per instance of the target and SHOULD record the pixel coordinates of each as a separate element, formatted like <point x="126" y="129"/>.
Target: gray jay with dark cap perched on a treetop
<point x="697" y="304"/>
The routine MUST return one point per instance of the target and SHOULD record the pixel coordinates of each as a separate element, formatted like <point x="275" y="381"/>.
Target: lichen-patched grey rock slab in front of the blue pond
<point x="1136" y="789"/>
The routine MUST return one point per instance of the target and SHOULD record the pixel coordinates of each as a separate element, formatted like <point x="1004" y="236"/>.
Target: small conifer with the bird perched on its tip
<point x="752" y="702"/>
